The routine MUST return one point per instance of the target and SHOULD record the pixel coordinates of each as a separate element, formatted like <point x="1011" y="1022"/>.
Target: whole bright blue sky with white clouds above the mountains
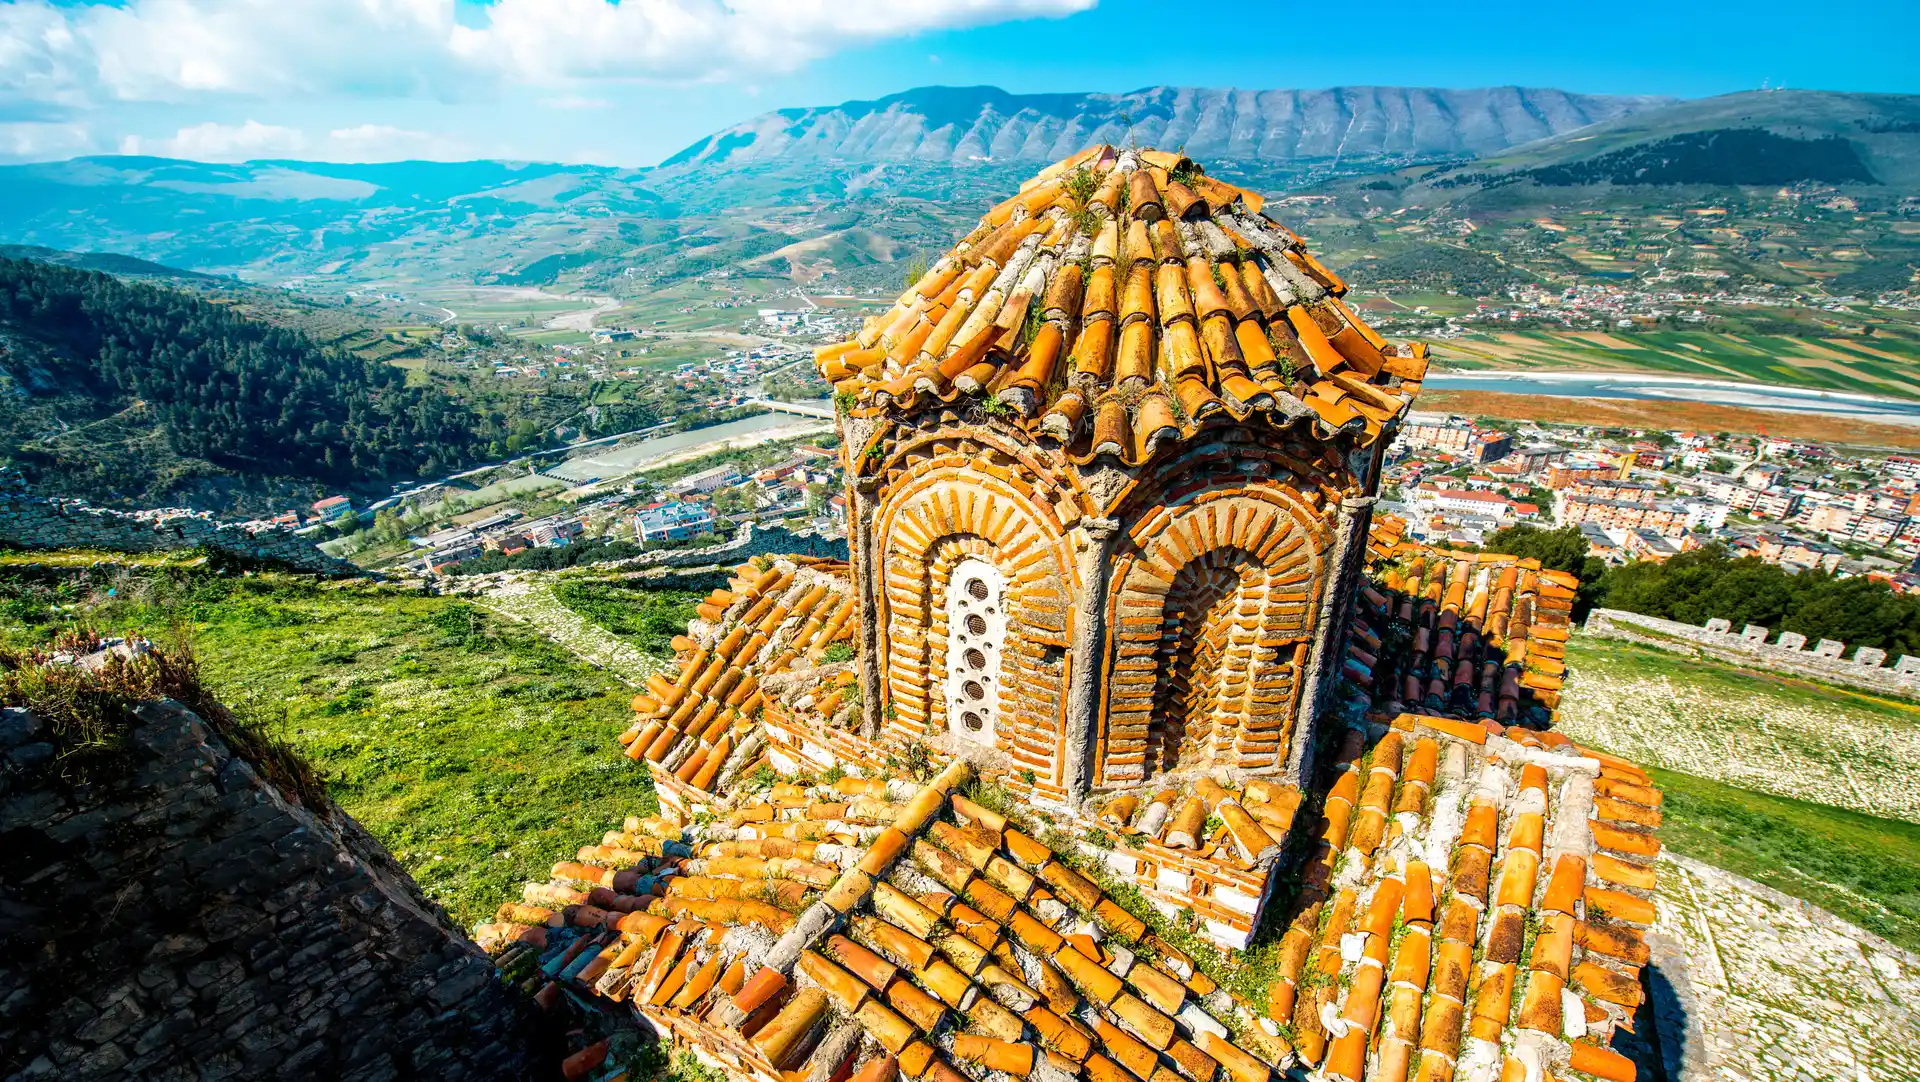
<point x="631" y="83"/>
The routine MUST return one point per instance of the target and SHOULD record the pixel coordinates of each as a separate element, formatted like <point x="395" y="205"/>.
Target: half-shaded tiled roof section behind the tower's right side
<point x="1464" y="634"/>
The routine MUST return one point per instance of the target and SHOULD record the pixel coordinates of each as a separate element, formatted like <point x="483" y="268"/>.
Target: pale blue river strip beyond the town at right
<point x="1681" y="388"/>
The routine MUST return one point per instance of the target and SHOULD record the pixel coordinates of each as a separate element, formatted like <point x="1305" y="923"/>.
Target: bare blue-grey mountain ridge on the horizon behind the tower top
<point x="984" y="124"/>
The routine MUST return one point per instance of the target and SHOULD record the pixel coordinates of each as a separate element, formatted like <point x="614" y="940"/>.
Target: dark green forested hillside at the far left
<point x="252" y="398"/>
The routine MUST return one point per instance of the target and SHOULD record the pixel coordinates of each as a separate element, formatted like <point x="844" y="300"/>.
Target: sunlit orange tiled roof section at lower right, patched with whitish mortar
<point x="1477" y="908"/>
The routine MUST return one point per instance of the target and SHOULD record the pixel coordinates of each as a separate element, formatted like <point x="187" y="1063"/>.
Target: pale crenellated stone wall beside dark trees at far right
<point x="1788" y="655"/>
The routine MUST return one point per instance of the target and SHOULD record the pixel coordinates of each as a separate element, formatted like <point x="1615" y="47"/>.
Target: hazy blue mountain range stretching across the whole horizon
<point x="903" y="174"/>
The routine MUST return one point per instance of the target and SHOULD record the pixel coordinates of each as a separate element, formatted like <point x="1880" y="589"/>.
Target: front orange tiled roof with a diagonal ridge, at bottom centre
<point x="880" y="929"/>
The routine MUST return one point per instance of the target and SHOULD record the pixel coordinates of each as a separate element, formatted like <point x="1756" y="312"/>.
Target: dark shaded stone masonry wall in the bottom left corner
<point x="181" y="920"/>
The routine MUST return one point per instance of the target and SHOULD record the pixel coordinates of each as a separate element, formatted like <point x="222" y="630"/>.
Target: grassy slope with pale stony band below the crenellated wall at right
<point x="1727" y="745"/>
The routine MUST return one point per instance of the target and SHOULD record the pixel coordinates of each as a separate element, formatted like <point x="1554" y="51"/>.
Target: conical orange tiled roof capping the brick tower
<point x="1122" y="300"/>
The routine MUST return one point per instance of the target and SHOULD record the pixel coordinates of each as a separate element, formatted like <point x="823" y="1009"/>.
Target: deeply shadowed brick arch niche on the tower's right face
<point x="1212" y="609"/>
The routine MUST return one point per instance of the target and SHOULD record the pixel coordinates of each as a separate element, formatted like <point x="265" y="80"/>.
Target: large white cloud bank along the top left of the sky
<point x="170" y="51"/>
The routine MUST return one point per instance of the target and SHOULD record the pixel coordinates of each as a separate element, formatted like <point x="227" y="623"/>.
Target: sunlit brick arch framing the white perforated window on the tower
<point x="948" y="502"/>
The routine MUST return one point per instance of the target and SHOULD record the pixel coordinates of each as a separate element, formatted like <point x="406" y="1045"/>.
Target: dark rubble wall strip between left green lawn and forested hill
<point x="39" y="523"/>
